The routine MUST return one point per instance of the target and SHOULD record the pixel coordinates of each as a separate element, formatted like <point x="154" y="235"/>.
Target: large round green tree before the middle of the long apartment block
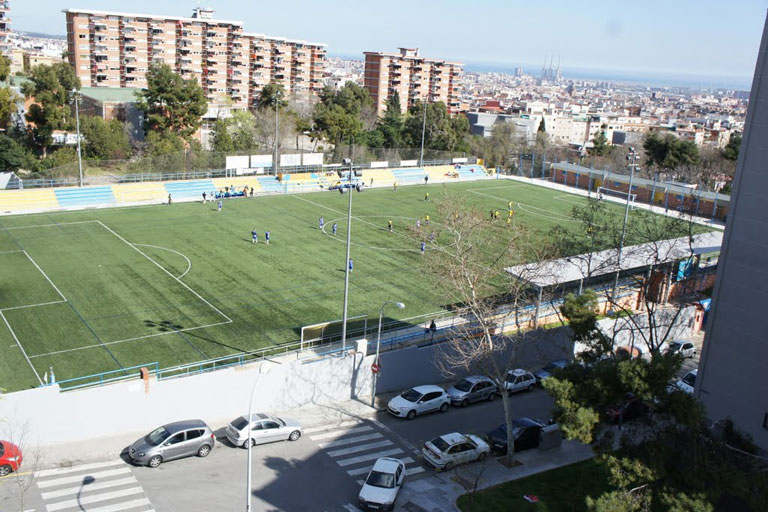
<point x="170" y="103"/>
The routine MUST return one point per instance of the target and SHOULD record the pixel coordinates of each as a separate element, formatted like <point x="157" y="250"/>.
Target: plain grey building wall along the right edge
<point x="733" y="372"/>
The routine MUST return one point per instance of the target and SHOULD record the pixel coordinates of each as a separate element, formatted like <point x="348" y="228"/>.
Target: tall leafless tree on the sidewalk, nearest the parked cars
<point x="467" y="264"/>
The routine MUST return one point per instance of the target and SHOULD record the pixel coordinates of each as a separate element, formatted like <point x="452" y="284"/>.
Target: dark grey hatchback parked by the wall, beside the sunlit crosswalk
<point x="173" y="441"/>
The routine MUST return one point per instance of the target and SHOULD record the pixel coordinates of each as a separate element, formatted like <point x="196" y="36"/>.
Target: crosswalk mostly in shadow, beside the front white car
<point x="356" y="444"/>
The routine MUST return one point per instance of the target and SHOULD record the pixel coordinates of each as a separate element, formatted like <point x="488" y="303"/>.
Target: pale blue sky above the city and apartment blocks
<point x="704" y="38"/>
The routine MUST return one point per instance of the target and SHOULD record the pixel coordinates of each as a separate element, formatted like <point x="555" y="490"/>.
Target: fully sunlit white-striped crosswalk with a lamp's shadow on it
<point x="96" y="487"/>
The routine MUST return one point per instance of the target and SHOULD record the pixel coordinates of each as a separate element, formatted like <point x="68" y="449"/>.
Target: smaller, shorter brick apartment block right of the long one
<point x="414" y="78"/>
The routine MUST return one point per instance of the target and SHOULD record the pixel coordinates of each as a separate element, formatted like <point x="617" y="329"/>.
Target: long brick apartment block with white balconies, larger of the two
<point x="112" y="49"/>
